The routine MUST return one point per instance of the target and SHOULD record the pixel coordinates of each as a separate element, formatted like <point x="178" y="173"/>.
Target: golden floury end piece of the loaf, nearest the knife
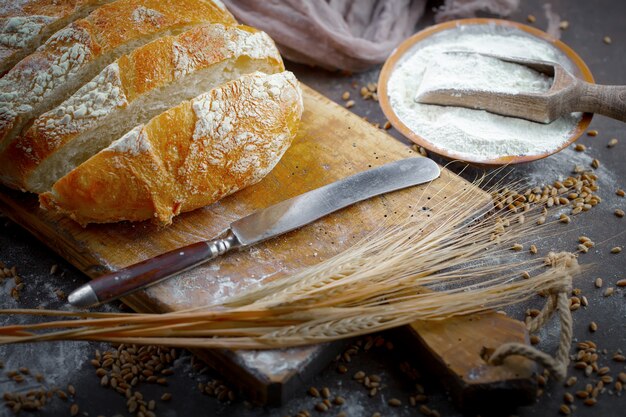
<point x="186" y="157"/>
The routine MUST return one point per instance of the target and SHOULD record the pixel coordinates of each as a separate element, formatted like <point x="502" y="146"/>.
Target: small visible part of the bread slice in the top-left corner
<point x="25" y="24"/>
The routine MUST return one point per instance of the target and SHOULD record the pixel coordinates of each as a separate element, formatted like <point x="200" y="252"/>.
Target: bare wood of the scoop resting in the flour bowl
<point x="567" y="94"/>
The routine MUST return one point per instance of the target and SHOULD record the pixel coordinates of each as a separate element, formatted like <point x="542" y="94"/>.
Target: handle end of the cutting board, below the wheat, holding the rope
<point x="459" y="348"/>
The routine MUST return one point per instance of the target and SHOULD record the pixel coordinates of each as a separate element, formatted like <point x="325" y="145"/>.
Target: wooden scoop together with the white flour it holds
<point x="567" y="94"/>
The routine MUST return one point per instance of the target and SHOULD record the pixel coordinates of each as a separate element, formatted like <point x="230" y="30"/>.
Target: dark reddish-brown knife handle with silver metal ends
<point x="151" y="271"/>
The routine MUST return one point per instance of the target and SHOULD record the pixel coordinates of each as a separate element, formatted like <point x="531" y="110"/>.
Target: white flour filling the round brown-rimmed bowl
<point x="474" y="134"/>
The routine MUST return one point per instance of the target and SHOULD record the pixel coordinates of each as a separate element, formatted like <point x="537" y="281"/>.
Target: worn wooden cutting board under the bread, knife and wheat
<point x="332" y="143"/>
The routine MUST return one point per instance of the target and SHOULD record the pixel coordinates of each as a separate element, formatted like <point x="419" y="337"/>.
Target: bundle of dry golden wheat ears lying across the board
<point x="427" y="266"/>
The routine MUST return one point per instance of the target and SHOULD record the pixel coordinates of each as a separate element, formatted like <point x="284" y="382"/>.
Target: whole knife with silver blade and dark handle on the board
<point x="259" y="226"/>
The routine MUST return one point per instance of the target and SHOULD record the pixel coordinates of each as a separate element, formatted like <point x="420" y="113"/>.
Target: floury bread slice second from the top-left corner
<point x="78" y="52"/>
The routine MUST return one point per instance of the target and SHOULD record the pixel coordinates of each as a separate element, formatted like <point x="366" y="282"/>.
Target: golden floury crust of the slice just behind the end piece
<point x="147" y="69"/>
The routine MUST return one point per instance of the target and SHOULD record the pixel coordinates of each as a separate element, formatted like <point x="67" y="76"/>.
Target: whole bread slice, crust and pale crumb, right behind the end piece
<point x="130" y="91"/>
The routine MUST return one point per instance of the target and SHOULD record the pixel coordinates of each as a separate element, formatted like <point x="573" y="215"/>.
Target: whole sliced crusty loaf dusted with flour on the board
<point x="110" y="118"/>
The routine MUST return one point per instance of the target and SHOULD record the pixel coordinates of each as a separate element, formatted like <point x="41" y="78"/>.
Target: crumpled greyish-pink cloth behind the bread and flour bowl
<point x="350" y="35"/>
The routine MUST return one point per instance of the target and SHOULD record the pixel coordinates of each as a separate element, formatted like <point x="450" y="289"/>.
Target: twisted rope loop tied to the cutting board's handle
<point x="557" y="365"/>
